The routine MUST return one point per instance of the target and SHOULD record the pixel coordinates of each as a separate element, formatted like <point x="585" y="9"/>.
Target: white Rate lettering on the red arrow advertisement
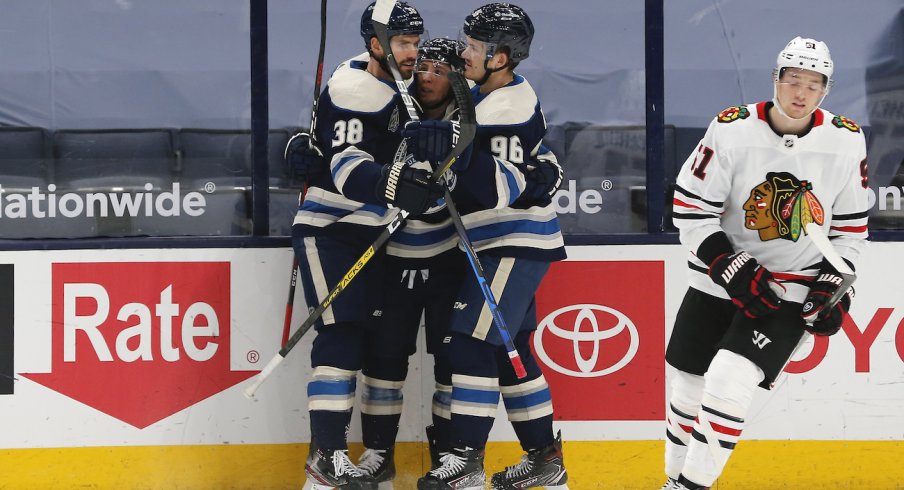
<point x="135" y="342"/>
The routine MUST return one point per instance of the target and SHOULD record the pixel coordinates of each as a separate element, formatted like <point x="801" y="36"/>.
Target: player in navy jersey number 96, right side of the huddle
<point x="517" y="235"/>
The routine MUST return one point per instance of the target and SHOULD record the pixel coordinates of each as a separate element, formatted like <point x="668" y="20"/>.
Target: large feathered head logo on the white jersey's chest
<point x="781" y="207"/>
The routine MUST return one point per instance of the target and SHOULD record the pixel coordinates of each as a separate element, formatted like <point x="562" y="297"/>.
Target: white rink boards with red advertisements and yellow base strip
<point x="129" y="367"/>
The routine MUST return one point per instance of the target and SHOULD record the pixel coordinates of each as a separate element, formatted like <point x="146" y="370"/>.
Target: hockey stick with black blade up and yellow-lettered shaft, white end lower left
<point x="468" y="127"/>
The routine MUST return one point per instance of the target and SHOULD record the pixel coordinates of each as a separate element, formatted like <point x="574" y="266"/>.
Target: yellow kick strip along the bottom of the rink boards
<point x="610" y="465"/>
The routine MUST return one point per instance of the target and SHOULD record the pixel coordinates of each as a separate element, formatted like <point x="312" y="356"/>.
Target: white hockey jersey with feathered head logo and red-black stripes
<point x="762" y="188"/>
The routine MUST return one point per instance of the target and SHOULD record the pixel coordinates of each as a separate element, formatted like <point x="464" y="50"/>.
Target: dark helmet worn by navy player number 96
<point x="502" y="24"/>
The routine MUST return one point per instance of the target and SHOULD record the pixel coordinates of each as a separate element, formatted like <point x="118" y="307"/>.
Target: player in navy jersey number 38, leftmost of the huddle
<point x="359" y="121"/>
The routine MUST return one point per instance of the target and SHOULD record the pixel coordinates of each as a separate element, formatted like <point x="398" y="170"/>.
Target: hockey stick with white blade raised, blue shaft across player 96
<point x="381" y="15"/>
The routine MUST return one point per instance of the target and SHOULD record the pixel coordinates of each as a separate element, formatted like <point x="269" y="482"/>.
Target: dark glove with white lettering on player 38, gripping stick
<point x="408" y="188"/>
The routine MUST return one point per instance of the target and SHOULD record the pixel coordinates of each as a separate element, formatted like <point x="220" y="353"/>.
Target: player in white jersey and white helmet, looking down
<point x="758" y="284"/>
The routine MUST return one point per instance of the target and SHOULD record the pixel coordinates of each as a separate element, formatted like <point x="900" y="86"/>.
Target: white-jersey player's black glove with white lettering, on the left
<point x="746" y="282"/>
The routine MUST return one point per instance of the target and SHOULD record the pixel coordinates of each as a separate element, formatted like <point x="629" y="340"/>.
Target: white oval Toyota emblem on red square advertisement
<point x="590" y="315"/>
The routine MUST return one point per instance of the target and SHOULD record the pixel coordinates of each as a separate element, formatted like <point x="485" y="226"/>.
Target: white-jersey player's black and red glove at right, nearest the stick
<point x="819" y="318"/>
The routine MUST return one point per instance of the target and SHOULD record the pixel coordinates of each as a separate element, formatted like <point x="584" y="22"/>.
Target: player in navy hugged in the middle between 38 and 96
<point x="423" y="272"/>
